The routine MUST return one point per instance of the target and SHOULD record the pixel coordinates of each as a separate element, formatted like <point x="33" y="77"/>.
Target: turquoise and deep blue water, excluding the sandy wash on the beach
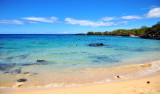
<point x="71" y="54"/>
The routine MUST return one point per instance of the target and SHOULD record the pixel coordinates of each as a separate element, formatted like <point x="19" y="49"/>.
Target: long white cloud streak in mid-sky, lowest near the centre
<point x="88" y="22"/>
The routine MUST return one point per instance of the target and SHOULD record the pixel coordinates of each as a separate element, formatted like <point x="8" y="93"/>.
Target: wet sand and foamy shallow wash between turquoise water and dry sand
<point x="88" y="76"/>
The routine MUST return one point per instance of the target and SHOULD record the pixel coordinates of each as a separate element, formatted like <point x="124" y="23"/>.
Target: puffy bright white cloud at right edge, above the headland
<point x="153" y="13"/>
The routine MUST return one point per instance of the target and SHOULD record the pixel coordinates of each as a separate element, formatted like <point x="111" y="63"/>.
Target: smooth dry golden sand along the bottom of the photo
<point x="138" y="86"/>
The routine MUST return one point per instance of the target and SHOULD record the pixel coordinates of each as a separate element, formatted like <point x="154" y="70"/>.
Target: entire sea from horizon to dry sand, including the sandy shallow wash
<point x="67" y="60"/>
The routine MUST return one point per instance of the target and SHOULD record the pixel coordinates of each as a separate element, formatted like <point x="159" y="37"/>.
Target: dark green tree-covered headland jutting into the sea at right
<point x="143" y="32"/>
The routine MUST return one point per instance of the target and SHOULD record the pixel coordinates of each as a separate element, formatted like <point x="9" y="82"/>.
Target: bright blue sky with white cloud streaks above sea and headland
<point x="75" y="16"/>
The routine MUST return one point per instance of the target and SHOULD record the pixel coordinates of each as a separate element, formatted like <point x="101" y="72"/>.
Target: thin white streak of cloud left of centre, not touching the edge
<point x="42" y="19"/>
